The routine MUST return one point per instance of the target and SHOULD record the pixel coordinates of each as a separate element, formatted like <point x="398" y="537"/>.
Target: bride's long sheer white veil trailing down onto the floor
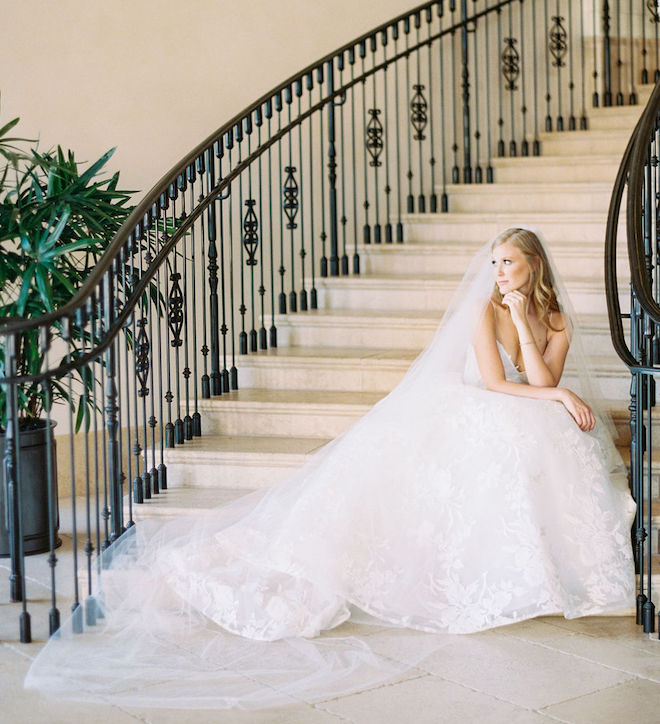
<point x="282" y="595"/>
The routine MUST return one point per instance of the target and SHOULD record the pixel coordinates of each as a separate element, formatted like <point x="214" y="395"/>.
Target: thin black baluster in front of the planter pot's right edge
<point x="51" y="475"/>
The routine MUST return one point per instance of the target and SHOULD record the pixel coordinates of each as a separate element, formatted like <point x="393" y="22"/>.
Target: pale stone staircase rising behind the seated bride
<point x="334" y="363"/>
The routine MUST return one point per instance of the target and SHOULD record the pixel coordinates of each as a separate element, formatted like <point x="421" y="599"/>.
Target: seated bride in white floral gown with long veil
<point x="478" y="493"/>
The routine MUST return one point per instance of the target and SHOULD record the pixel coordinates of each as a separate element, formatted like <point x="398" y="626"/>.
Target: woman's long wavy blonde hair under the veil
<point x="541" y="286"/>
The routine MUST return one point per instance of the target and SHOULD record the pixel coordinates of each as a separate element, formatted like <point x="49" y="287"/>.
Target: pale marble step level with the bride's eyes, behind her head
<point x="579" y="259"/>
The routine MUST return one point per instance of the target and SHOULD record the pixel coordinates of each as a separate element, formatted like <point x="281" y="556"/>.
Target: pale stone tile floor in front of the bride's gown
<point x="595" y="670"/>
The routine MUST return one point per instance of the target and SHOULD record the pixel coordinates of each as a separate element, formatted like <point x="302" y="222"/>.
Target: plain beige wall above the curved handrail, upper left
<point x="155" y="77"/>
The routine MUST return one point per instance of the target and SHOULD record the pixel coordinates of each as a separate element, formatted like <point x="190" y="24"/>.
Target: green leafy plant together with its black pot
<point x="57" y="216"/>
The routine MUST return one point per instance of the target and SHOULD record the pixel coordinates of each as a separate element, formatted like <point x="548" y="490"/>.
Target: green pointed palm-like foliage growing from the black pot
<point x="56" y="220"/>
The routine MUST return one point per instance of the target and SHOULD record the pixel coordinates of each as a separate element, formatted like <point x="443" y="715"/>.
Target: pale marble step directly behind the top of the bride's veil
<point x="480" y="227"/>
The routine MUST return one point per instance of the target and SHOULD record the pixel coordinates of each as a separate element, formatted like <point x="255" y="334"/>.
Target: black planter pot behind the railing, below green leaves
<point x="33" y="462"/>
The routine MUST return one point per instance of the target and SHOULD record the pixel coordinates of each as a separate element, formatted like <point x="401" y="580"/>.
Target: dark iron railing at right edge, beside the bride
<point x="636" y="334"/>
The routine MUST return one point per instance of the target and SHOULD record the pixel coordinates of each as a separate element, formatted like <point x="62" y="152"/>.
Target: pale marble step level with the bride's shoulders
<point x="407" y="329"/>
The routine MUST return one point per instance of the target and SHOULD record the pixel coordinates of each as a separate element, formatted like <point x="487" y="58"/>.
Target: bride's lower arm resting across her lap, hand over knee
<point x="492" y="373"/>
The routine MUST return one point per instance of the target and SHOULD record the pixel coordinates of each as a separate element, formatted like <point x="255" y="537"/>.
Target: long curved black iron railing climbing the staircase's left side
<point x="247" y="225"/>
